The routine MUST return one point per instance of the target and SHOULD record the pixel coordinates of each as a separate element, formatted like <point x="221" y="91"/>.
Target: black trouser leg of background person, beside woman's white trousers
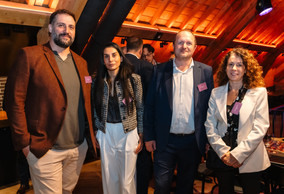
<point x="144" y="168"/>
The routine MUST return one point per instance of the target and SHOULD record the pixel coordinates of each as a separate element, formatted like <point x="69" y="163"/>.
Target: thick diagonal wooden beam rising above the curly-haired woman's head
<point x="242" y="17"/>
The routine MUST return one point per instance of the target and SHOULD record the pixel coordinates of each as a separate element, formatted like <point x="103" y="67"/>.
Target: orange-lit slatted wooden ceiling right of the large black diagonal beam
<point x="219" y="24"/>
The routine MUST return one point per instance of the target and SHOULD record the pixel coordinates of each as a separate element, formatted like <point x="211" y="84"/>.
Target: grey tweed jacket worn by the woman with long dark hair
<point x="129" y="122"/>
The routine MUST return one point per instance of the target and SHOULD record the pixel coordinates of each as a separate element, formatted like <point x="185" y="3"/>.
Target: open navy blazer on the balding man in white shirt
<point x="159" y="104"/>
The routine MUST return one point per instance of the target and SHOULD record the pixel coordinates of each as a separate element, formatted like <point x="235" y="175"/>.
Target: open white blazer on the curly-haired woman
<point x="253" y="125"/>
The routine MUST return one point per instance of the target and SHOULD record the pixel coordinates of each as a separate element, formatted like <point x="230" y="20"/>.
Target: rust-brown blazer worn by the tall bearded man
<point x="36" y="99"/>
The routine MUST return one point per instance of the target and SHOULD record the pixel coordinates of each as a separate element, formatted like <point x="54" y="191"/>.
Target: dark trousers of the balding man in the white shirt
<point x="181" y="152"/>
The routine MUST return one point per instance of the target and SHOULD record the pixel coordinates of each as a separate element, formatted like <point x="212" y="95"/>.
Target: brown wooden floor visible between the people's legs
<point x="90" y="182"/>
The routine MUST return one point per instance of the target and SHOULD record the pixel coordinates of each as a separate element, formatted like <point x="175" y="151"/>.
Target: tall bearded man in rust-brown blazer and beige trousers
<point x="48" y="105"/>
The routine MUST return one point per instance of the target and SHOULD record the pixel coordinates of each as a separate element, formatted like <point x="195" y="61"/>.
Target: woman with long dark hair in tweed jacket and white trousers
<point x="118" y="114"/>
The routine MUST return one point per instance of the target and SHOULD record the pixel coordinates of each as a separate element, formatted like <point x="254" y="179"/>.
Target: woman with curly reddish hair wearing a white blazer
<point x="237" y="121"/>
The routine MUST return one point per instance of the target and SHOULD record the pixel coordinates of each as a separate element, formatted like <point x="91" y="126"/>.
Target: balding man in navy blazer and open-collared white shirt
<point x="175" y="112"/>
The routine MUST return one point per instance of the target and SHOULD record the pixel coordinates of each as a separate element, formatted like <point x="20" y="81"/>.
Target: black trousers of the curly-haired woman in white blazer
<point x="250" y="182"/>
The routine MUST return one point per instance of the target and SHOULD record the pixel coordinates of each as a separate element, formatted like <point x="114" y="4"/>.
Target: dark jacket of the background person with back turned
<point x="142" y="68"/>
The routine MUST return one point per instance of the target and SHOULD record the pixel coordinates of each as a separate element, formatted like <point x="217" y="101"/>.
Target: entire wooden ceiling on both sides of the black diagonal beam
<point x="218" y="25"/>
